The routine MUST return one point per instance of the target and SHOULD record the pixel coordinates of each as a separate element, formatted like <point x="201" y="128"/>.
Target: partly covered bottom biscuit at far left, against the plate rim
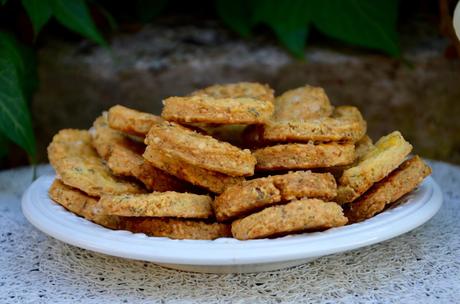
<point x="81" y="204"/>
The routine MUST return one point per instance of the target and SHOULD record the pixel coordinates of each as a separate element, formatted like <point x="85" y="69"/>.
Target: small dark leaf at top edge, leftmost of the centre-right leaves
<point x="236" y="15"/>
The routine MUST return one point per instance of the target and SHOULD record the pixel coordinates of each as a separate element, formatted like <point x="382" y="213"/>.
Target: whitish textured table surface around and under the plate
<point x="422" y="266"/>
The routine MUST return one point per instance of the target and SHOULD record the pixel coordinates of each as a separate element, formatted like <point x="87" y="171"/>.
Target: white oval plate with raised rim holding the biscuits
<point x="226" y="254"/>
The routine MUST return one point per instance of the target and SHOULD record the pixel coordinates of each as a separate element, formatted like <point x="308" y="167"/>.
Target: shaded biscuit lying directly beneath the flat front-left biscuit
<point x="176" y="228"/>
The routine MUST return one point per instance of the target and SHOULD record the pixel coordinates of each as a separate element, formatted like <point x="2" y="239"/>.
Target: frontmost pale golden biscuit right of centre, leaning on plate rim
<point x="294" y="217"/>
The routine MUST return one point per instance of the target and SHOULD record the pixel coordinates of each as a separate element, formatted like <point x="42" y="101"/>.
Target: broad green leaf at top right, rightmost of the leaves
<point x="367" y="23"/>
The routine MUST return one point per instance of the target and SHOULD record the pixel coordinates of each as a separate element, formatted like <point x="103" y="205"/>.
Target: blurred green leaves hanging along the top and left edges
<point x="366" y="23"/>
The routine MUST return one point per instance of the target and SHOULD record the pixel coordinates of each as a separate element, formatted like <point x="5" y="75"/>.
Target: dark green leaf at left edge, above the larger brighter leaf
<point x="25" y="62"/>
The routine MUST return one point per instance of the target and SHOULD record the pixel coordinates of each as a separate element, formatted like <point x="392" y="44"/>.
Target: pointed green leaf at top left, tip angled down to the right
<point x="75" y="15"/>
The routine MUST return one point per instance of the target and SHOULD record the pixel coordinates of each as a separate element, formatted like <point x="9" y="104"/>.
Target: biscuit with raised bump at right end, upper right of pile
<point x="345" y="124"/>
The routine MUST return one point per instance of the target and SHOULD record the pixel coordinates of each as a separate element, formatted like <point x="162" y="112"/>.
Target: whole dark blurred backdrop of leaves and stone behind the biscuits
<point x="62" y="62"/>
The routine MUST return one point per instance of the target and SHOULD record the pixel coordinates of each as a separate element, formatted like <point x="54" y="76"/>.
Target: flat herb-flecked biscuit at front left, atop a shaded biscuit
<point x="158" y="204"/>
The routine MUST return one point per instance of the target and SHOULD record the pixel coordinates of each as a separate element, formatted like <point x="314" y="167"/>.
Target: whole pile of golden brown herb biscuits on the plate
<point x="231" y="160"/>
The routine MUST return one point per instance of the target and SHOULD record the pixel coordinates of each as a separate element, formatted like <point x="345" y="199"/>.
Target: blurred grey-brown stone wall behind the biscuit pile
<point x="419" y="95"/>
